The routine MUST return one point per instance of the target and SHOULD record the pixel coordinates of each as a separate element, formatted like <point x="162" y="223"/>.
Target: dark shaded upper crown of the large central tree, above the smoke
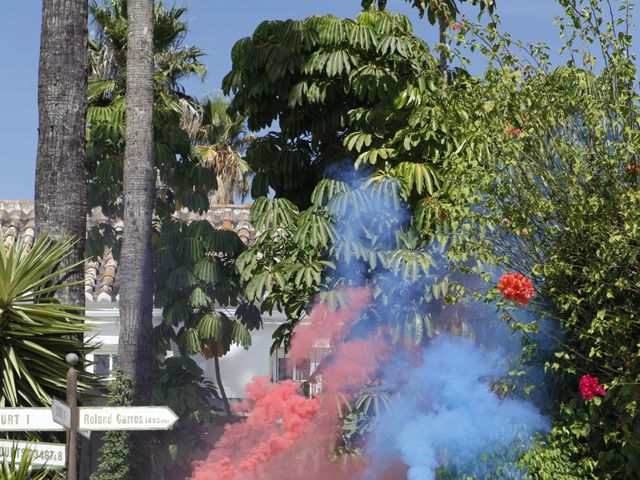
<point x="317" y="77"/>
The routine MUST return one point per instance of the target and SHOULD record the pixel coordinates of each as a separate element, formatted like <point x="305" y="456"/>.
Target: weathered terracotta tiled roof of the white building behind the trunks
<point x="101" y="283"/>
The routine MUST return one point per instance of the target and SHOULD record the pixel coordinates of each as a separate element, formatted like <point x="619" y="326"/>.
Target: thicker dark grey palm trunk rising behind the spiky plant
<point x="61" y="185"/>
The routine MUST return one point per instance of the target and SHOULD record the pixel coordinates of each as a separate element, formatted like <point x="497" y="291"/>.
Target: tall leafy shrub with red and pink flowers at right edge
<point x="559" y="204"/>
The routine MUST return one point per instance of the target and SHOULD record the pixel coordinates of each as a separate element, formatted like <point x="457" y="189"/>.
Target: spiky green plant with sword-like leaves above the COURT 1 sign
<point x="36" y="330"/>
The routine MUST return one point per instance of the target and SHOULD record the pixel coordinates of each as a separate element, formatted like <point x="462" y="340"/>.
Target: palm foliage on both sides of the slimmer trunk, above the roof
<point x="183" y="180"/>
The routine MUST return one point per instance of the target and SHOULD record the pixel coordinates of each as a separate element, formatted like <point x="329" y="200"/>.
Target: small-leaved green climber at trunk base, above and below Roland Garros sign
<point x="114" y="453"/>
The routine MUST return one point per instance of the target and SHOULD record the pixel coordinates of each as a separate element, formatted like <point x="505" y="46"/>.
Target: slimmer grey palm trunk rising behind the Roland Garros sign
<point x="136" y="293"/>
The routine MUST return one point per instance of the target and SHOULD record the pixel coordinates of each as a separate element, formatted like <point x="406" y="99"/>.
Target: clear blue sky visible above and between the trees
<point x="215" y="27"/>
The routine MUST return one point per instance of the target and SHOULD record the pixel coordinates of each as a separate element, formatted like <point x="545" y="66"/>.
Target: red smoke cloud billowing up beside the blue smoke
<point x="288" y="436"/>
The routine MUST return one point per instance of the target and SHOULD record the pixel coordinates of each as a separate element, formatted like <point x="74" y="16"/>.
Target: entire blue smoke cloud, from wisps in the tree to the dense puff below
<point x="443" y="412"/>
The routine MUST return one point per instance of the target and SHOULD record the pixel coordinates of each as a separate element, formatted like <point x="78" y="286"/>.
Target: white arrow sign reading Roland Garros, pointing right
<point x="126" y="418"/>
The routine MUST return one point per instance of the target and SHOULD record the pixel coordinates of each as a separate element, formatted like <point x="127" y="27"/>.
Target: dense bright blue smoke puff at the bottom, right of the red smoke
<point x="444" y="413"/>
